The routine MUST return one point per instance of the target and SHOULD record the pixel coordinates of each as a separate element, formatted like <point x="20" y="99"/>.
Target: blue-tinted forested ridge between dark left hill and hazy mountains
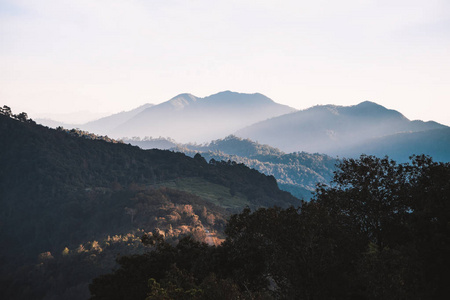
<point x="297" y="172"/>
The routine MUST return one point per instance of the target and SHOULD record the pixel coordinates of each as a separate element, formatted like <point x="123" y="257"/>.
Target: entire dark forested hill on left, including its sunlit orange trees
<point x="68" y="189"/>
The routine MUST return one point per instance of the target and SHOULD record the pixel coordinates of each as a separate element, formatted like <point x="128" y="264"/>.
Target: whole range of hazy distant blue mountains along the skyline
<point x="345" y="131"/>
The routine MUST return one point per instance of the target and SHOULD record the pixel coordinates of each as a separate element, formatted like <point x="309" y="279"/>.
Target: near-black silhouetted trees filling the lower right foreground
<point x="379" y="231"/>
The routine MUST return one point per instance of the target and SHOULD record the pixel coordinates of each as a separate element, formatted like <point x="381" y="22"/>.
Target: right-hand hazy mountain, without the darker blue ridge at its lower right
<point x="334" y="130"/>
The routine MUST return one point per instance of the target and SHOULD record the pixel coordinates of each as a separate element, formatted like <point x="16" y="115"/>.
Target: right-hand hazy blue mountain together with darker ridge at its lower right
<point x="349" y="131"/>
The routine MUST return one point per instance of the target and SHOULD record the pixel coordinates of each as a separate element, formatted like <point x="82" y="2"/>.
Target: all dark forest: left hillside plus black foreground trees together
<point x="72" y="202"/>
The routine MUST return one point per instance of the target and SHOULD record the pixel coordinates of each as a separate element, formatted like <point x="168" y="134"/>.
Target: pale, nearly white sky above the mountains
<point x="61" y="58"/>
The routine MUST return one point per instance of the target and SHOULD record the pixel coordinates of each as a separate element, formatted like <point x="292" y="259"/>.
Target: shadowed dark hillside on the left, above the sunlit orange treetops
<point x="63" y="188"/>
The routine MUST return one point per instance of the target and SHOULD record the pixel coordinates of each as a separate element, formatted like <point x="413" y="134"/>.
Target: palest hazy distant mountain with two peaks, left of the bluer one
<point x="187" y="118"/>
